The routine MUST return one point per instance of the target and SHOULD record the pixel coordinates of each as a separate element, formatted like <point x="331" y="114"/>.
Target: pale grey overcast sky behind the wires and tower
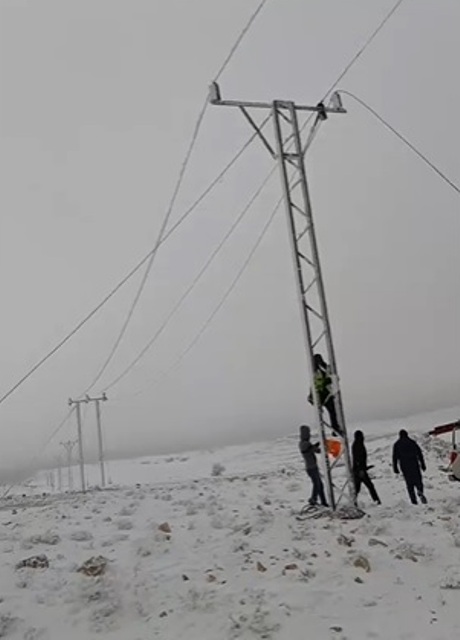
<point x="98" y="99"/>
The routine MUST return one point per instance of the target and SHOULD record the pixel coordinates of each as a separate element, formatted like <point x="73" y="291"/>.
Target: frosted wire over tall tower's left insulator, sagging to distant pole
<point x="169" y="211"/>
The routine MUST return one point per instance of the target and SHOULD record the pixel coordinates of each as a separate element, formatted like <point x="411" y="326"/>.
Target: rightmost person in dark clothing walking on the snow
<point x="408" y="457"/>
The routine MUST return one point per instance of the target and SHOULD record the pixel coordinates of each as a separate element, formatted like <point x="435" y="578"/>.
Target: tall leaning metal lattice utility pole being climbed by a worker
<point x="289" y="153"/>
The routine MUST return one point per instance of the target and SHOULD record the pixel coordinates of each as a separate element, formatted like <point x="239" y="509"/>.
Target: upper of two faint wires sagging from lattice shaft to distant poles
<point x="189" y="290"/>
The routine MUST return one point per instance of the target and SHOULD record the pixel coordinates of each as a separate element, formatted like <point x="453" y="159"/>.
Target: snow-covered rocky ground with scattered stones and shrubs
<point x="233" y="562"/>
